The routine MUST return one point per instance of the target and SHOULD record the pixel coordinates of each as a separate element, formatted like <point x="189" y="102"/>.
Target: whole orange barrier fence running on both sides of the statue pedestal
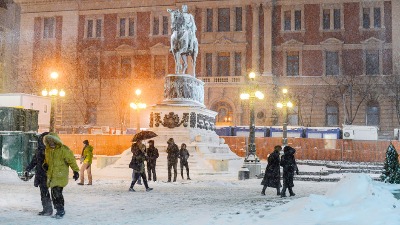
<point x="306" y="148"/>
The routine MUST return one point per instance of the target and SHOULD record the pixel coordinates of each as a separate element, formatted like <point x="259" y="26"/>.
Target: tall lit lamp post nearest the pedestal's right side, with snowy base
<point x="251" y="161"/>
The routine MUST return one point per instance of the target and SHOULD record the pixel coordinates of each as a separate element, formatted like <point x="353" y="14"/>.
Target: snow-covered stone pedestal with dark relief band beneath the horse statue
<point x="183" y="116"/>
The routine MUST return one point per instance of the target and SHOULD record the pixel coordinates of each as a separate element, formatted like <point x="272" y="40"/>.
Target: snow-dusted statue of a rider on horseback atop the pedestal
<point x="183" y="39"/>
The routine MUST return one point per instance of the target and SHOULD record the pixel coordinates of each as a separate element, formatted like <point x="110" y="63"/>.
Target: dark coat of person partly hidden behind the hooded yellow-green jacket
<point x="37" y="162"/>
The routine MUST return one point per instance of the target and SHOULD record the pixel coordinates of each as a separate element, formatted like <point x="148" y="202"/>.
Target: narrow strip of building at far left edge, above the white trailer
<point x="9" y="33"/>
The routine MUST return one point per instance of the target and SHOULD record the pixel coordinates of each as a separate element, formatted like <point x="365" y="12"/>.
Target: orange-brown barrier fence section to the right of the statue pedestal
<point x="317" y="149"/>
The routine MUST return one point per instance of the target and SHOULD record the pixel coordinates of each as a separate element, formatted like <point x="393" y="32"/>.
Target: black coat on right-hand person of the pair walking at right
<point x="289" y="165"/>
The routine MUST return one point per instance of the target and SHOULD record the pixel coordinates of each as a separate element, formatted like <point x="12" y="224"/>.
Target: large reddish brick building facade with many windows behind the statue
<point x="338" y="59"/>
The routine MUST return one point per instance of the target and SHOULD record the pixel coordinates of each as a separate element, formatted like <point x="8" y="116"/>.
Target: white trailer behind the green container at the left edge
<point x="27" y="101"/>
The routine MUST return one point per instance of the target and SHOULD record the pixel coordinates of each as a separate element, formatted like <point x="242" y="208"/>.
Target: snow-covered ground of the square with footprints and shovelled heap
<point x="206" y="199"/>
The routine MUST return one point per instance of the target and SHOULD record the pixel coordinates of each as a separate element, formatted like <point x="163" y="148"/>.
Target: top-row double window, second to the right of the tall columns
<point x="331" y="17"/>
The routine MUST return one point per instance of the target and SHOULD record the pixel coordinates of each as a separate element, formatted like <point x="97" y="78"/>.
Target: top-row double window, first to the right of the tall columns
<point x="292" y="19"/>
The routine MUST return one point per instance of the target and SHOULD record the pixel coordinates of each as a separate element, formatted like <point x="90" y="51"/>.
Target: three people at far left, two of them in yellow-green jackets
<point x="51" y="161"/>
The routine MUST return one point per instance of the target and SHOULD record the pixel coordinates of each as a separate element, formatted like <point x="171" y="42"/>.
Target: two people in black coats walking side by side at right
<point x="272" y="176"/>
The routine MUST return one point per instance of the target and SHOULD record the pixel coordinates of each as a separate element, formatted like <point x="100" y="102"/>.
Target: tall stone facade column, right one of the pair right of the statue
<point x="267" y="38"/>
